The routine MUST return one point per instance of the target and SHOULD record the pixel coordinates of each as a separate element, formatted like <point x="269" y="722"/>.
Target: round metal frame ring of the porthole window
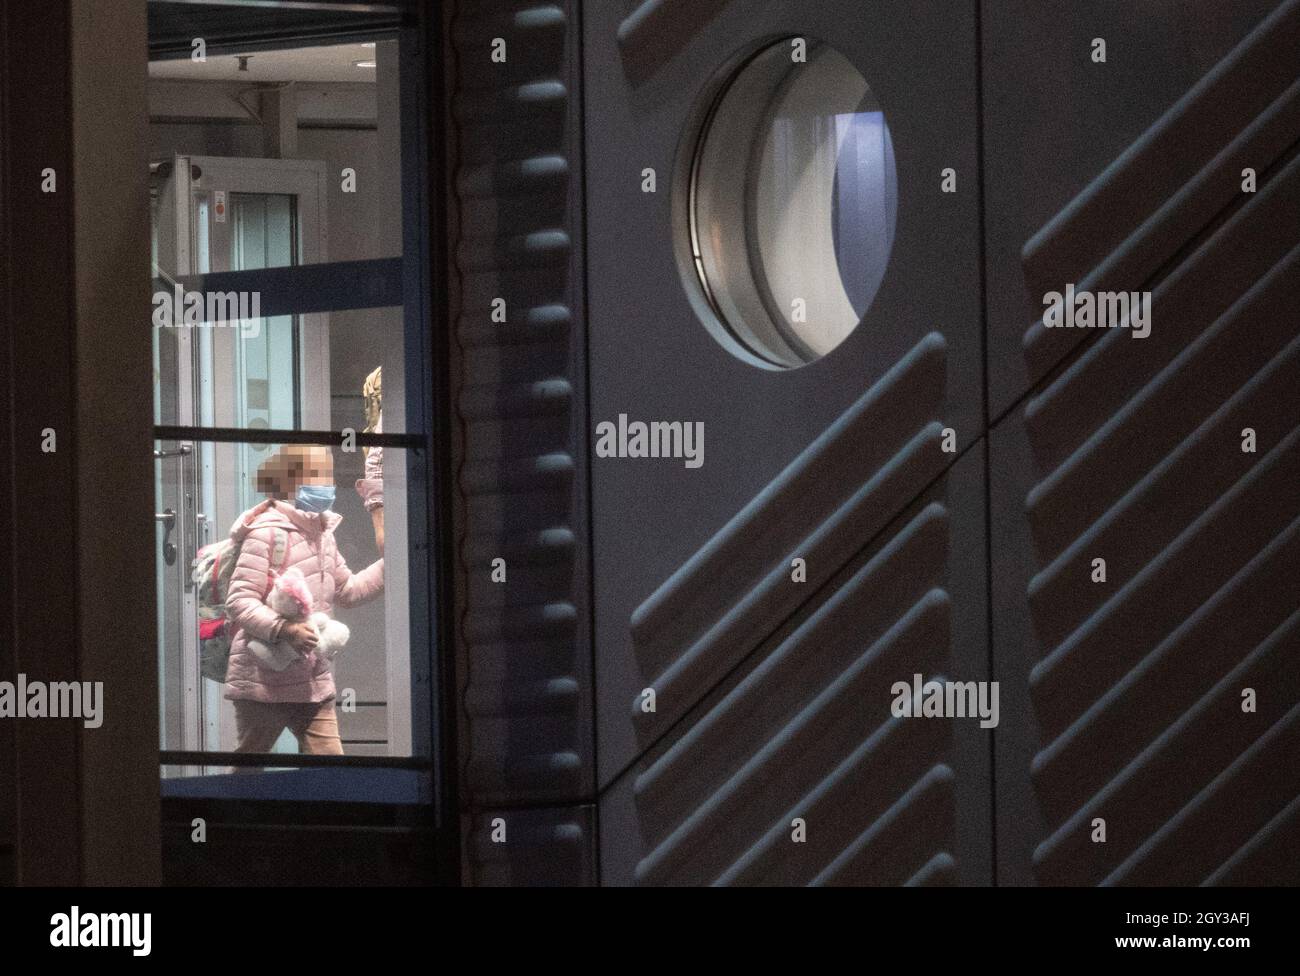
<point x="739" y="336"/>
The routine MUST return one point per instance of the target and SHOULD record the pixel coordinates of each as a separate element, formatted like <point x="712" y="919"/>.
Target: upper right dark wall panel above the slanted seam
<point x="1055" y="120"/>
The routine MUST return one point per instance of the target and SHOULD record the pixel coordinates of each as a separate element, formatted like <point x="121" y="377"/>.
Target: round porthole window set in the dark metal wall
<point x="792" y="203"/>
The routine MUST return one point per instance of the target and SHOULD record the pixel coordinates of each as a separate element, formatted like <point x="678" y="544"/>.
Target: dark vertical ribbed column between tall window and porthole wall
<point x="526" y="652"/>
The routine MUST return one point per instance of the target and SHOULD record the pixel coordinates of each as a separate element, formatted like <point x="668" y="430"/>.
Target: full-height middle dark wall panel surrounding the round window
<point x="772" y="697"/>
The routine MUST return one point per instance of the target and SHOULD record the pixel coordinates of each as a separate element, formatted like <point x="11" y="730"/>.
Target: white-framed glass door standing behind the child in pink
<point x="222" y="363"/>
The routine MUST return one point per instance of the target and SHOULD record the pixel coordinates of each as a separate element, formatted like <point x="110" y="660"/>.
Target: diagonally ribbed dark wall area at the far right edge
<point x="1137" y="456"/>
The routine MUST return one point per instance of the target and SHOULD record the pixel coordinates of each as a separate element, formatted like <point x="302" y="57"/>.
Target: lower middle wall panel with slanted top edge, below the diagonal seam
<point x="804" y="730"/>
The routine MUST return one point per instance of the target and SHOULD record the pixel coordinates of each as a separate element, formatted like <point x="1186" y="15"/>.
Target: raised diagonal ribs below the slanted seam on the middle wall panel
<point x="800" y="738"/>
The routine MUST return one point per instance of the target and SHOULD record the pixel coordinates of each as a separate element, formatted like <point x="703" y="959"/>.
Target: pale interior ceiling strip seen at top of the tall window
<point x="333" y="63"/>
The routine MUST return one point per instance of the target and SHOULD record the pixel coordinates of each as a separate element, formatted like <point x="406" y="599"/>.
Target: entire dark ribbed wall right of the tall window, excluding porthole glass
<point x="1120" y="700"/>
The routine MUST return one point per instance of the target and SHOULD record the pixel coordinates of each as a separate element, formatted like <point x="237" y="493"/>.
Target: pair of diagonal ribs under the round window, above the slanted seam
<point x="736" y="589"/>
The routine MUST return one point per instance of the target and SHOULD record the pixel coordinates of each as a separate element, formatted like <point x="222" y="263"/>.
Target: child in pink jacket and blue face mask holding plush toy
<point x="300" y="482"/>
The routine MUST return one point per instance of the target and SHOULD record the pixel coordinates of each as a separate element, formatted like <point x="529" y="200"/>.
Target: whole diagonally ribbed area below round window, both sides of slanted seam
<point x="801" y="727"/>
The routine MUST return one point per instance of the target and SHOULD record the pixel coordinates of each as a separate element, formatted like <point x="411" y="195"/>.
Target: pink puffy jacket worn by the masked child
<point x="311" y="548"/>
